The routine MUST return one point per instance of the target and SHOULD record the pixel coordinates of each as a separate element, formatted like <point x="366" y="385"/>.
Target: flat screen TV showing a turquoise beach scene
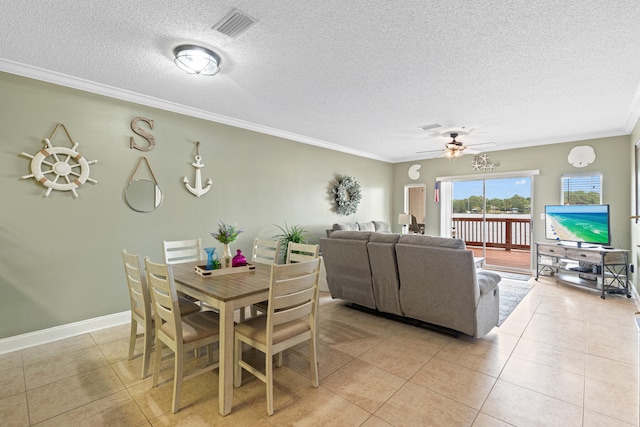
<point x="587" y="224"/>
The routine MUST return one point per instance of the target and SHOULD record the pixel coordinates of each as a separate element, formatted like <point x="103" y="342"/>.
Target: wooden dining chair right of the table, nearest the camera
<point x="290" y="320"/>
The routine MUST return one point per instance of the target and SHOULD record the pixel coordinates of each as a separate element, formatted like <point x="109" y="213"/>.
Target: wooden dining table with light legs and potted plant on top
<point x="226" y="293"/>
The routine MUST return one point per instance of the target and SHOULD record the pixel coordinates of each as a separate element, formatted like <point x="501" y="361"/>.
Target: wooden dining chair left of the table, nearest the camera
<point x="178" y="333"/>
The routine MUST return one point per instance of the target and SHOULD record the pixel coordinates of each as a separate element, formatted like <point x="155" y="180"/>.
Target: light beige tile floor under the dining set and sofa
<point x="564" y="357"/>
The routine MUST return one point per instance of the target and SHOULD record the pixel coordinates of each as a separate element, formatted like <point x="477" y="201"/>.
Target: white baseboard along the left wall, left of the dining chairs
<point x="44" y="336"/>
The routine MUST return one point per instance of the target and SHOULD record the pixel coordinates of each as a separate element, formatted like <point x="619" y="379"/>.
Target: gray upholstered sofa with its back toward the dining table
<point x="426" y="278"/>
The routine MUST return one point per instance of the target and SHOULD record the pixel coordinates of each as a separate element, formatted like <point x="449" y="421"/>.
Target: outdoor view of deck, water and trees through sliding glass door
<point x="493" y="217"/>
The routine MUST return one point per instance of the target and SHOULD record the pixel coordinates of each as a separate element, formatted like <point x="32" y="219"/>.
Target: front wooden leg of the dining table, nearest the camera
<point x="225" y="386"/>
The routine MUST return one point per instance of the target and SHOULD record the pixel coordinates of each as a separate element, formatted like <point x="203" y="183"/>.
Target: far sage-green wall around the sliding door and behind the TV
<point x="551" y="161"/>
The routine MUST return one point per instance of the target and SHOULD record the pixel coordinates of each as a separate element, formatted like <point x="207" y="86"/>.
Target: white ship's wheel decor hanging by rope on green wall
<point x="59" y="168"/>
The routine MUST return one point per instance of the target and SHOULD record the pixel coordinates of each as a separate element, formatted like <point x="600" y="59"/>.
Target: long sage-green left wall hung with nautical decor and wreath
<point x="61" y="258"/>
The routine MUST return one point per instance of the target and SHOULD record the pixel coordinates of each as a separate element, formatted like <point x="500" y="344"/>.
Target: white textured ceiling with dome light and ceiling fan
<point x="359" y="76"/>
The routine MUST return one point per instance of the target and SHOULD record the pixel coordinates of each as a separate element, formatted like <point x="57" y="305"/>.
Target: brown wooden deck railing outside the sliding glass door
<point x="506" y="233"/>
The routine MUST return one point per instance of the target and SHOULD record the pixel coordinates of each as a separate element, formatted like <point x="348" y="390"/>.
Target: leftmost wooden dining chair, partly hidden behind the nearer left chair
<point x="141" y="311"/>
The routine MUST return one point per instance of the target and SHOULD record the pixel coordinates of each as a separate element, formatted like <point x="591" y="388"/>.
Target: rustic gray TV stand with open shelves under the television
<point x="595" y="268"/>
